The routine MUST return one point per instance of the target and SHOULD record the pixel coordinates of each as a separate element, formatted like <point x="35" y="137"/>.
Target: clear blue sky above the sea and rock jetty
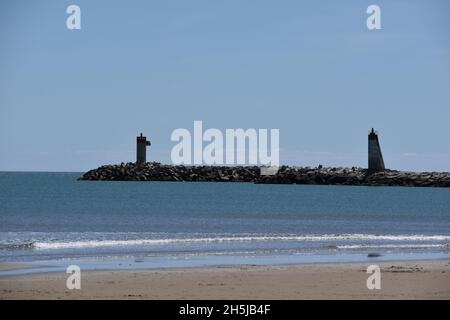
<point x="71" y="100"/>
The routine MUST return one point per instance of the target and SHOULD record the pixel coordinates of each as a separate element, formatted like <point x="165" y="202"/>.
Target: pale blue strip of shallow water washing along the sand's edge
<point x="136" y="263"/>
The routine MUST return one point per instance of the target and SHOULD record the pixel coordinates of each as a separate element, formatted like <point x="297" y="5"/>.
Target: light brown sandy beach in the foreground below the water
<point x="399" y="280"/>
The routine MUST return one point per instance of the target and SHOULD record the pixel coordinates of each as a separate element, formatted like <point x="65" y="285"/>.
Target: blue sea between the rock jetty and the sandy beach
<point x="52" y="219"/>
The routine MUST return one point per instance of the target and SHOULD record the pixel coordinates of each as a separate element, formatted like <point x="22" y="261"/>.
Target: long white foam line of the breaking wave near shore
<point x="330" y="237"/>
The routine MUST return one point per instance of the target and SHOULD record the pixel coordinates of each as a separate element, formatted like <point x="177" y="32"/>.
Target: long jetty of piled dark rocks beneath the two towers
<point x="153" y="171"/>
